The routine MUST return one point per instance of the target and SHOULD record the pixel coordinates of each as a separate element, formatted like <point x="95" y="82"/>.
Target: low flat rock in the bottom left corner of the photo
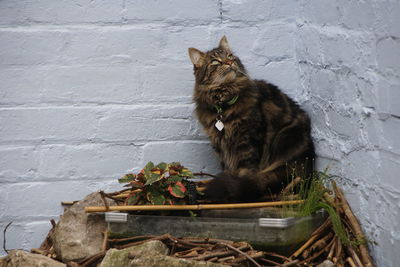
<point x="20" y="258"/>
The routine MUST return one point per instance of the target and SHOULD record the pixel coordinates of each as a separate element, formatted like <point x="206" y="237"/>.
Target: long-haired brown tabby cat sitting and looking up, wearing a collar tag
<point x="260" y="135"/>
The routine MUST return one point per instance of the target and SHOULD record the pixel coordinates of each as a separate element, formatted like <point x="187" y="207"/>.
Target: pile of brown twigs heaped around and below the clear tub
<point x="323" y="245"/>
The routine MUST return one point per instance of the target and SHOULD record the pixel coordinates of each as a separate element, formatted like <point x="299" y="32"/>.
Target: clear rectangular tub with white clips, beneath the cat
<point x="264" y="228"/>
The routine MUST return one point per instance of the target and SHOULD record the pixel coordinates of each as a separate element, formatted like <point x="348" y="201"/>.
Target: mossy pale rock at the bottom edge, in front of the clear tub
<point x="119" y="258"/>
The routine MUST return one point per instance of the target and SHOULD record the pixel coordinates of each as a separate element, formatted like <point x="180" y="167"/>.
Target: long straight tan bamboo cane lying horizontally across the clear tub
<point x="193" y="207"/>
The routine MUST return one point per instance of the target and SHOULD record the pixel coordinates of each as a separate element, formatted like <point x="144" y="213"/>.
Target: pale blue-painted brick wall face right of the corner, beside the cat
<point x="349" y="58"/>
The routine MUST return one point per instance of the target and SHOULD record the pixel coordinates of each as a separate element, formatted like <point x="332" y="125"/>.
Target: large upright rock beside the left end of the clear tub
<point x="78" y="235"/>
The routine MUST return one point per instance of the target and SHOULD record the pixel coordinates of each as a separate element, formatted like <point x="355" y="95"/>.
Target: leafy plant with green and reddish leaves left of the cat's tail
<point x="161" y="184"/>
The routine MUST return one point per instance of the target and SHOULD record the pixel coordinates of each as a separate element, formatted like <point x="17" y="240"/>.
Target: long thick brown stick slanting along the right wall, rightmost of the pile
<point x="366" y="258"/>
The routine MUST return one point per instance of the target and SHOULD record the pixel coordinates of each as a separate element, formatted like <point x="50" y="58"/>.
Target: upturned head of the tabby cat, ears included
<point x="216" y="67"/>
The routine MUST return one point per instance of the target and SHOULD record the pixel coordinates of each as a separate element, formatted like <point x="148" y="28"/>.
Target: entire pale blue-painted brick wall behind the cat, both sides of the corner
<point x="90" y="90"/>
